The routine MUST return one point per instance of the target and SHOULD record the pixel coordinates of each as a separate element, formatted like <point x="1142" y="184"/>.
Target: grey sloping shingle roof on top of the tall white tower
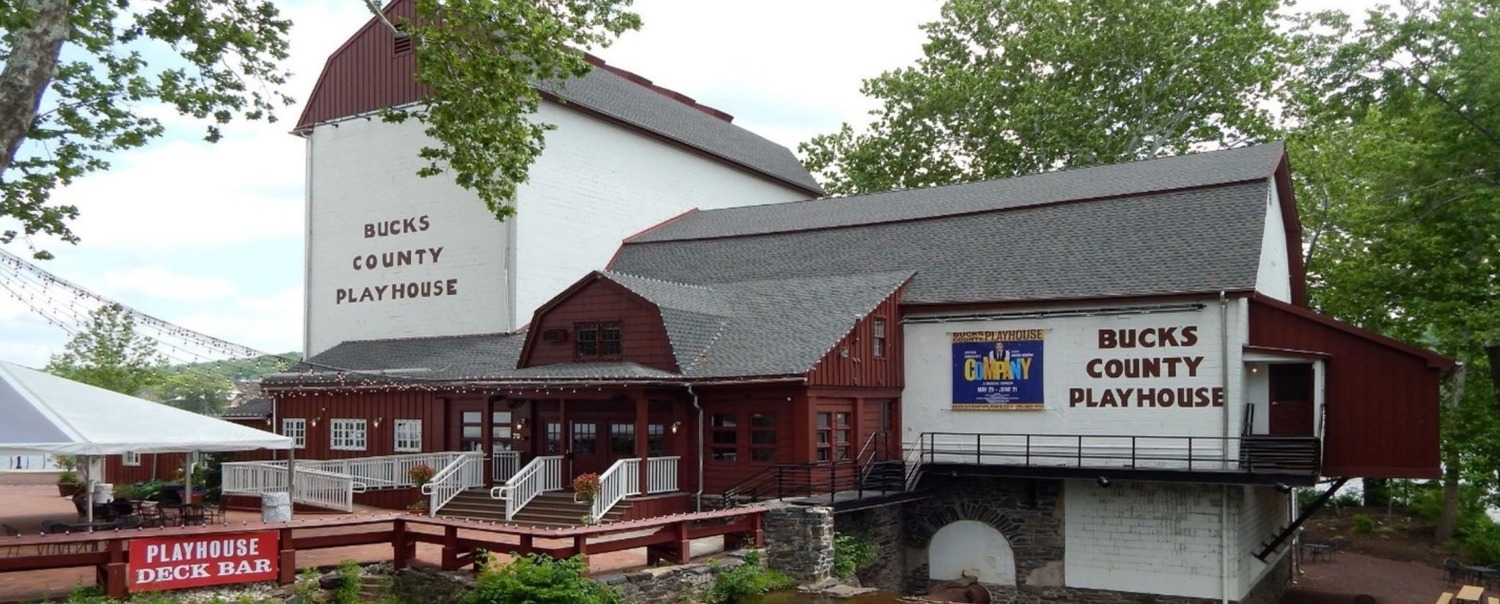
<point x="614" y="95"/>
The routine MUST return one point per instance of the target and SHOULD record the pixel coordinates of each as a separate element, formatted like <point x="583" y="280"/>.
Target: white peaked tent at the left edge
<point x="49" y="414"/>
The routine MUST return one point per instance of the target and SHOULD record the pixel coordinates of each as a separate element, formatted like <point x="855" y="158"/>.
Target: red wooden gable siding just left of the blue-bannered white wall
<point x="860" y="366"/>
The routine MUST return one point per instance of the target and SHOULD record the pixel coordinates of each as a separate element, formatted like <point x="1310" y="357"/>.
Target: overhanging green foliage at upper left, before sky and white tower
<point x="77" y="79"/>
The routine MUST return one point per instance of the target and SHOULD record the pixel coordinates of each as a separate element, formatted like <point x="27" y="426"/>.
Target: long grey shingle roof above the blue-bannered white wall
<point x="1178" y="242"/>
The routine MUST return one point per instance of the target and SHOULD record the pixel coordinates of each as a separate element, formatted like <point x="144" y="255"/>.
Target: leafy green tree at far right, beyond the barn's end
<point x="1400" y="163"/>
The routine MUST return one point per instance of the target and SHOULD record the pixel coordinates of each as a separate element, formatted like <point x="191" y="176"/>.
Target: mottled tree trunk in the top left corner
<point x="29" y="71"/>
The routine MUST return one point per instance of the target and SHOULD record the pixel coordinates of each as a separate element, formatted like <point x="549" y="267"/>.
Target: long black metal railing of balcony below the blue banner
<point x="1291" y="455"/>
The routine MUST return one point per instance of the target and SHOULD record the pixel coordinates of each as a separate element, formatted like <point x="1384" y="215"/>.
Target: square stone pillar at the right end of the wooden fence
<point x="800" y="542"/>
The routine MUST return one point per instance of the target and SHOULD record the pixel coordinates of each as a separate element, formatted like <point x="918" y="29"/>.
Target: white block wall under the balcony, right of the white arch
<point x="1148" y="537"/>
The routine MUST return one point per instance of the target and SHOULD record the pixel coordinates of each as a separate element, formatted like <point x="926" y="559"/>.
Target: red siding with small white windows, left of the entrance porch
<point x="379" y="441"/>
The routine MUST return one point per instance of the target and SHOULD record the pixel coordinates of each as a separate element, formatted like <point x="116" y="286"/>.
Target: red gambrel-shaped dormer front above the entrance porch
<point x="643" y="336"/>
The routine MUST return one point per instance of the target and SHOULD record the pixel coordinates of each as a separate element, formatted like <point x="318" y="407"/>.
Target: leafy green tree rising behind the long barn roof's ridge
<point x="1012" y="88"/>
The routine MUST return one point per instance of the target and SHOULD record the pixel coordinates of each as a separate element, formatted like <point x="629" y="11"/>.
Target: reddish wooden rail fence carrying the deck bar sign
<point x="665" y="539"/>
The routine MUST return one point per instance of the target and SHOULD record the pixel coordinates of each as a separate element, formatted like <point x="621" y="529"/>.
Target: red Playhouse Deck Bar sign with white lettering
<point x="196" y="561"/>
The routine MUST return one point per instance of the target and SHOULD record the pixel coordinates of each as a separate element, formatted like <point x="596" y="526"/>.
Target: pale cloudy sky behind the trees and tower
<point x="211" y="236"/>
